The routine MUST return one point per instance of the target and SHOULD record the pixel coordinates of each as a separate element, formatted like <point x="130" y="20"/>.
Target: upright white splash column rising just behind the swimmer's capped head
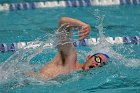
<point x="103" y="45"/>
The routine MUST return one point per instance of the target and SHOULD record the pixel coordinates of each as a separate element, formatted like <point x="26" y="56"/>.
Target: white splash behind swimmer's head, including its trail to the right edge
<point x="104" y="46"/>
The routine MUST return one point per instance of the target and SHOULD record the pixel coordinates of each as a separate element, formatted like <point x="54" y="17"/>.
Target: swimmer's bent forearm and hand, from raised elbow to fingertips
<point x="84" y="32"/>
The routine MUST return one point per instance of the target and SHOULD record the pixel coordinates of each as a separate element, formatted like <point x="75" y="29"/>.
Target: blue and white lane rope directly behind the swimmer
<point x="6" y="47"/>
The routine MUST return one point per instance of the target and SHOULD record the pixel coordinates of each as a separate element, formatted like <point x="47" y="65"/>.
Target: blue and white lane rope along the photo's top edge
<point x="67" y="3"/>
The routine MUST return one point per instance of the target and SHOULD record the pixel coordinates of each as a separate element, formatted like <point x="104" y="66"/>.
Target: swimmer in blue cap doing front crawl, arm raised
<point x="66" y="59"/>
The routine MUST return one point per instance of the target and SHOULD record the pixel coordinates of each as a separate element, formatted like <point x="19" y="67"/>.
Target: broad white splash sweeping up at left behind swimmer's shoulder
<point x="17" y="65"/>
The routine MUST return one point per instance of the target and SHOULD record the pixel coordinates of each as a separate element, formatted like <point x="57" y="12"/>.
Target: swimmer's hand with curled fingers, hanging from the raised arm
<point x="84" y="32"/>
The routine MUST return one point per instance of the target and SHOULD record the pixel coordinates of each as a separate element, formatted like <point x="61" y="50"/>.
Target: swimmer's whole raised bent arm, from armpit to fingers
<point x="66" y="50"/>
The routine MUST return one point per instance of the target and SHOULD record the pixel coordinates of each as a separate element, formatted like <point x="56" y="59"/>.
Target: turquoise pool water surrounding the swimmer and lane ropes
<point x="121" y="75"/>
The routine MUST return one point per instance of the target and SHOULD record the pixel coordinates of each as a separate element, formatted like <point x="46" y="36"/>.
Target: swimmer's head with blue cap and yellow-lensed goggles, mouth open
<point x="96" y="60"/>
